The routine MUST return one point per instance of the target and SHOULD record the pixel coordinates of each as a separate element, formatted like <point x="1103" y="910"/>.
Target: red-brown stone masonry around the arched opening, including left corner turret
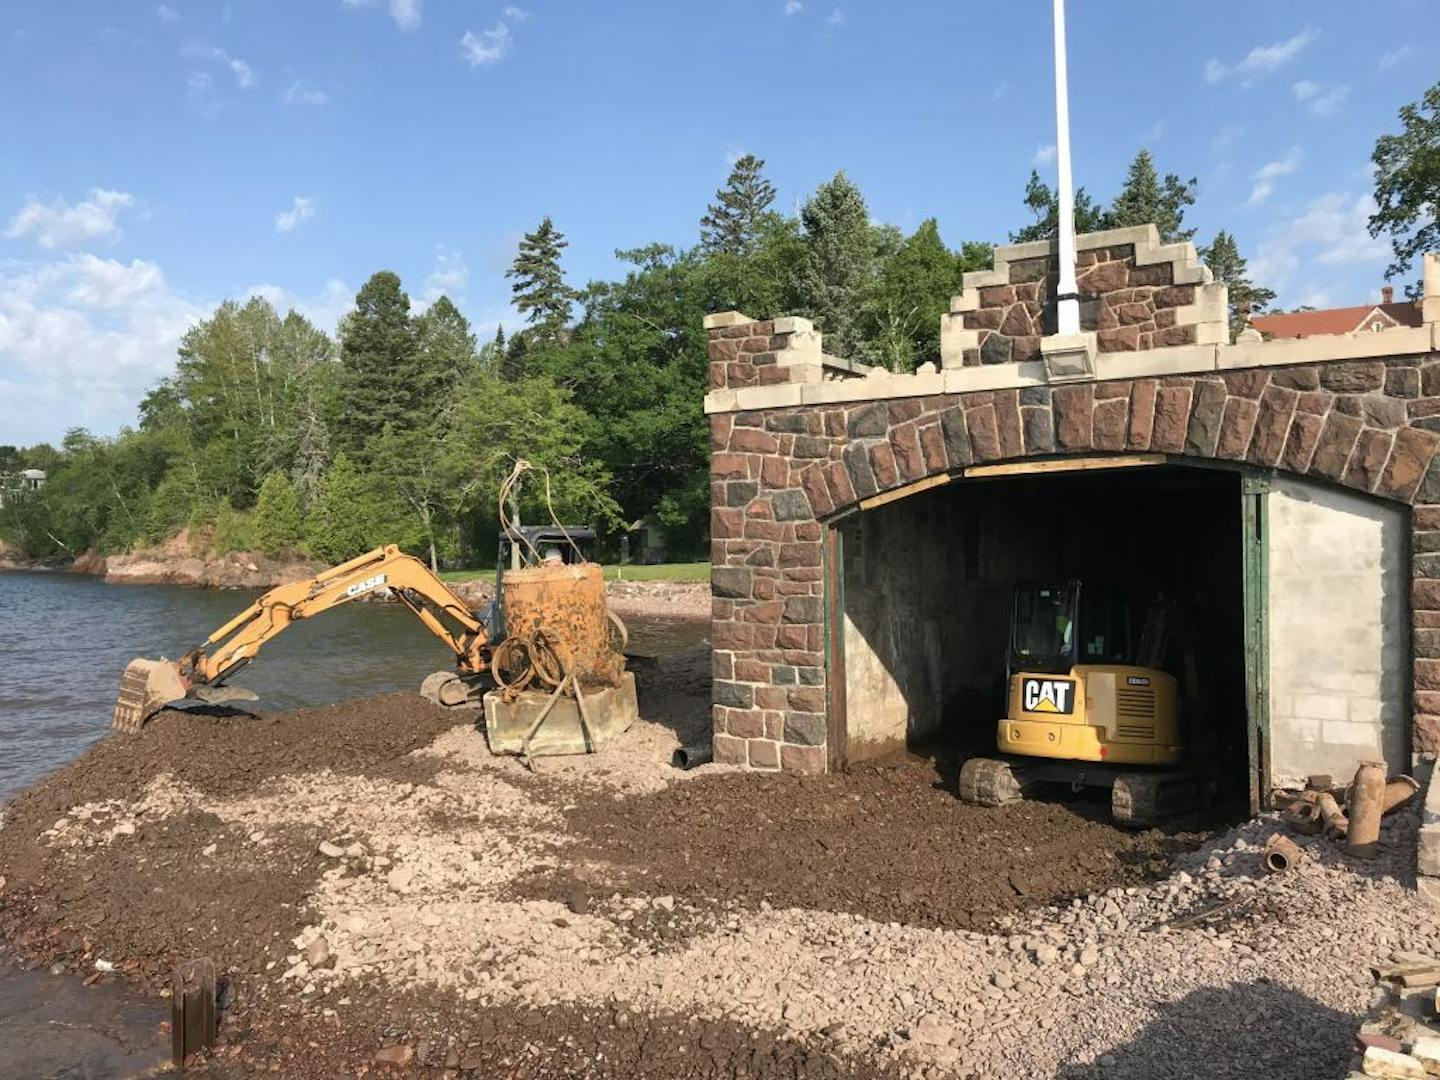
<point x="777" y="474"/>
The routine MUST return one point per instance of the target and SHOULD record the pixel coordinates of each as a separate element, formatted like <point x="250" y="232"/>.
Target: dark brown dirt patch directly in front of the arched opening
<point x="885" y="843"/>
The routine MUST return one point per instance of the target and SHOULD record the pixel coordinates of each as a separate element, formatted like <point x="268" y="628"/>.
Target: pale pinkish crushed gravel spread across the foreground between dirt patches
<point x="1215" y="971"/>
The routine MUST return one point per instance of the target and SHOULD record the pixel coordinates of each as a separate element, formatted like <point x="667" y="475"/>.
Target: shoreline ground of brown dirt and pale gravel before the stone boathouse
<point x="374" y="885"/>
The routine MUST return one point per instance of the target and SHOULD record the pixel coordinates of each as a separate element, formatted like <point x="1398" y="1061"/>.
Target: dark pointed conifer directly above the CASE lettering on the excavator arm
<point x="379" y="365"/>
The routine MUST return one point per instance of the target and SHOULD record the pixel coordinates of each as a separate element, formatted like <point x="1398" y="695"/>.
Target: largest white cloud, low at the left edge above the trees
<point x="83" y="339"/>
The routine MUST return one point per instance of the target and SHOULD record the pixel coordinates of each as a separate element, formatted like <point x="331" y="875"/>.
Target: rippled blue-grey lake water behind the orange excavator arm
<point x="66" y="639"/>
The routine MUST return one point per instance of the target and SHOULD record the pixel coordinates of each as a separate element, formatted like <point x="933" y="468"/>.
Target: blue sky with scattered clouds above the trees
<point x="159" y="158"/>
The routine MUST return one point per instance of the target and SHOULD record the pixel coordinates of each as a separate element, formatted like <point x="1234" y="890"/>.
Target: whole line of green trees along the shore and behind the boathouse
<point x="273" y="436"/>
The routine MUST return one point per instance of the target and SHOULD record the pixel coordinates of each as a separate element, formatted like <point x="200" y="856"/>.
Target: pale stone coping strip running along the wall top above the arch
<point x="1140" y="365"/>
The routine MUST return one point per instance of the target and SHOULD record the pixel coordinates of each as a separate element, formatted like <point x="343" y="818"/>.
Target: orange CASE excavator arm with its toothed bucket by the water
<point x="148" y="685"/>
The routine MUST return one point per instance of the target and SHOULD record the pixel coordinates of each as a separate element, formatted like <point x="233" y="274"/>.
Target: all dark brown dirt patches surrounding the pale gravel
<point x="889" y="843"/>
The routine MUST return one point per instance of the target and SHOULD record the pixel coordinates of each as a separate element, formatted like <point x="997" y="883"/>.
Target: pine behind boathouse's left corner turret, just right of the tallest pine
<point x="840" y="244"/>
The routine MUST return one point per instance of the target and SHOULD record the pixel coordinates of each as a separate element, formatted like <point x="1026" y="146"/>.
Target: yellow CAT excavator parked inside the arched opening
<point x="1085" y="709"/>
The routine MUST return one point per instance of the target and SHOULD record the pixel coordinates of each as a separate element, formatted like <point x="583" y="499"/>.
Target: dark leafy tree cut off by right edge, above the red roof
<point x="1408" y="185"/>
